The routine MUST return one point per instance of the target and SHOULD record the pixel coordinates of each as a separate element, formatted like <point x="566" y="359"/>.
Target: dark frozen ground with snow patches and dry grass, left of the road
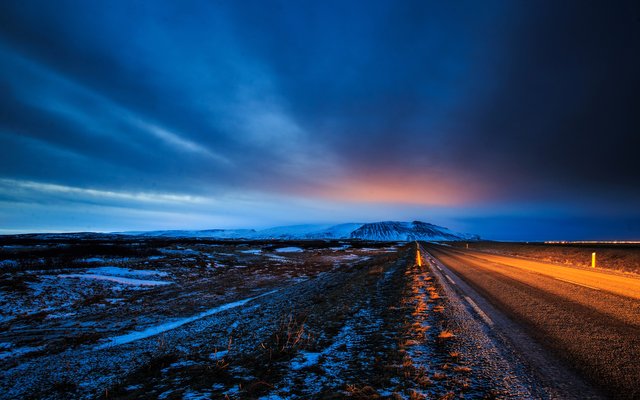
<point x="177" y="318"/>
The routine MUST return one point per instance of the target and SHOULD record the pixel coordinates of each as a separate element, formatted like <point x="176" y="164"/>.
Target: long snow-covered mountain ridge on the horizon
<point x="378" y="231"/>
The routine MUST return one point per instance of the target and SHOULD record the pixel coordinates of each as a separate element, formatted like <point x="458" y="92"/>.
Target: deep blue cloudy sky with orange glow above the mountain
<point x="514" y="120"/>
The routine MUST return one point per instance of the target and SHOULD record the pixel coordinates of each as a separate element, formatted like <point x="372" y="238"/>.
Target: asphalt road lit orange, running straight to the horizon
<point x="588" y="321"/>
